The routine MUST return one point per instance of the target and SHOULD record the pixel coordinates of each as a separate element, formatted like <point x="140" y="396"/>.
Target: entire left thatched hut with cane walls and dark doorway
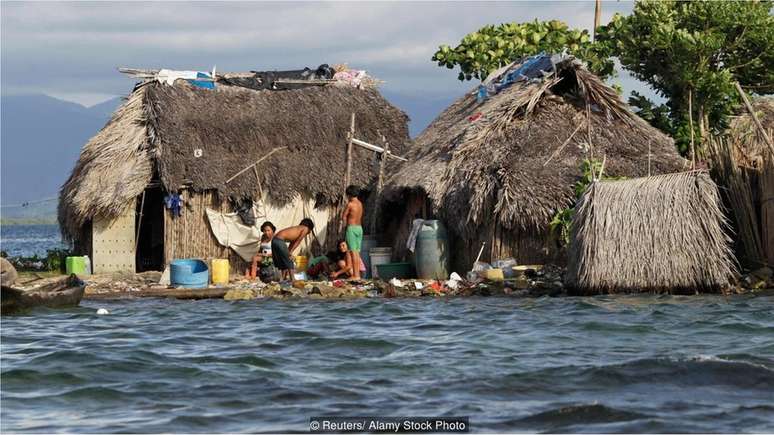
<point x="183" y="138"/>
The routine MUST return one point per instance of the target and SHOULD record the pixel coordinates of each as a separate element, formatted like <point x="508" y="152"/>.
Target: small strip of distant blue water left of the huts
<point x="29" y="240"/>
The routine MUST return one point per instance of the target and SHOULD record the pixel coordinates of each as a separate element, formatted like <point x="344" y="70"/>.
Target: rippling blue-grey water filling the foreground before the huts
<point x="603" y="364"/>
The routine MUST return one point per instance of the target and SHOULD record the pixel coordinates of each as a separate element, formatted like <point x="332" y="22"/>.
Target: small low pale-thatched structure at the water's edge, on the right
<point x="656" y="234"/>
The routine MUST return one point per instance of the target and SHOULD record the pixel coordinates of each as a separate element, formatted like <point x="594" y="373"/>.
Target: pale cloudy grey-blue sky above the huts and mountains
<point x="71" y="50"/>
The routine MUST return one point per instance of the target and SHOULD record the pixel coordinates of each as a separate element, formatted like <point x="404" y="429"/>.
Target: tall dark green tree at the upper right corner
<point x="694" y="50"/>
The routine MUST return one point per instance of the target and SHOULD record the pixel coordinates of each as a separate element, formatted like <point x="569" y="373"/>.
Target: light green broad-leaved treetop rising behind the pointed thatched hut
<point x="491" y="47"/>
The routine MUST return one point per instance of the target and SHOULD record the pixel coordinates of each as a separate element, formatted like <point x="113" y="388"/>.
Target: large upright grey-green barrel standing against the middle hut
<point x="432" y="251"/>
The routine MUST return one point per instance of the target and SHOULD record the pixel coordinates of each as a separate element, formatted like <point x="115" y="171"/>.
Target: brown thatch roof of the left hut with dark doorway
<point x="186" y="136"/>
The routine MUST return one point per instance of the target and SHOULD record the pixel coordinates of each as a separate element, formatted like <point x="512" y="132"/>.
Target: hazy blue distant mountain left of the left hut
<point x="41" y="139"/>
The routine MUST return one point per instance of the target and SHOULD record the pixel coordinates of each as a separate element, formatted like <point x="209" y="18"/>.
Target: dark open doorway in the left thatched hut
<point x="150" y="230"/>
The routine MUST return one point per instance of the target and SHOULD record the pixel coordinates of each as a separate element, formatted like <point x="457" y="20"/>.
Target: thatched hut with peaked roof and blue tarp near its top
<point x="496" y="171"/>
